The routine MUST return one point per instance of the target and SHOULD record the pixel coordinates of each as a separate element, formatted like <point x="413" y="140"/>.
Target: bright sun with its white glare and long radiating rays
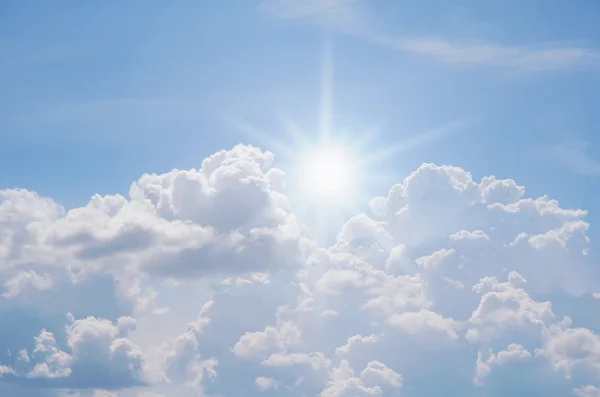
<point x="330" y="174"/>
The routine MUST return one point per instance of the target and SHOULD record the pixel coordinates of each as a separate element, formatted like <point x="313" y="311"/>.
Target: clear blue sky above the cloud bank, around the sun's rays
<point x="119" y="89"/>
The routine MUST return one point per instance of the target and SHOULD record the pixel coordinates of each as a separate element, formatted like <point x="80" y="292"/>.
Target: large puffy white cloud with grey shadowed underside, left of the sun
<point x="180" y="224"/>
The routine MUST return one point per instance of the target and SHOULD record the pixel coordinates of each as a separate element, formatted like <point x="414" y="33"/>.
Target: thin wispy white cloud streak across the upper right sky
<point x="350" y="16"/>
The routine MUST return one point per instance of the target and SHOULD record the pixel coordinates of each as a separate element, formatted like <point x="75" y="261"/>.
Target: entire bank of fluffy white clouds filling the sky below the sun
<point x="446" y="285"/>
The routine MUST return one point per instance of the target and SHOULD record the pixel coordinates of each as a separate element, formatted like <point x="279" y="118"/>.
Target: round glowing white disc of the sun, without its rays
<point x="329" y="174"/>
